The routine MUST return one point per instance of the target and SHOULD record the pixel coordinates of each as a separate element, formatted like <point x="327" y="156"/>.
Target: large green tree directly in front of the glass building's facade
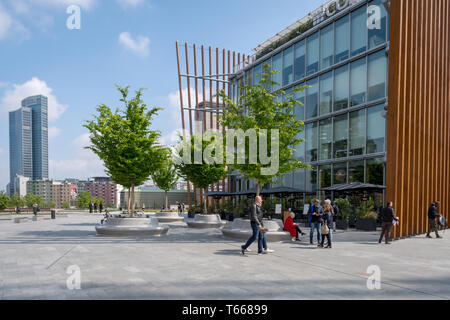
<point x="260" y="109"/>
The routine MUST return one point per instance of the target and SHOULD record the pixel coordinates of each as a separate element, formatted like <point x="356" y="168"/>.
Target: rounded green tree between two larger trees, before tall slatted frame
<point x="202" y="173"/>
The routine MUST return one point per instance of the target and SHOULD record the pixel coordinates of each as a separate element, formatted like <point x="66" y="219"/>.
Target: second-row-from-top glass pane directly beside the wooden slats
<point x="377" y="76"/>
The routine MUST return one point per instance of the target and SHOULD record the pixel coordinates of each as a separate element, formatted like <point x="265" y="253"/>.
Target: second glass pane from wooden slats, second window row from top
<point x="358" y="82"/>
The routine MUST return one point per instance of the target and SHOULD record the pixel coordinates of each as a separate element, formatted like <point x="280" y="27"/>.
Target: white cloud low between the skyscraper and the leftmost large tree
<point x="82" y="164"/>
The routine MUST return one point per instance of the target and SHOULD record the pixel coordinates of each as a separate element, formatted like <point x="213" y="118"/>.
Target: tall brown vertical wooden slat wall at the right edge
<point x="418" y="121"/>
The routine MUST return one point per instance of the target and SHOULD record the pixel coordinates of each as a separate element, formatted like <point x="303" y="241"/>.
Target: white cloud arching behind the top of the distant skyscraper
<point x="13" y="97"/>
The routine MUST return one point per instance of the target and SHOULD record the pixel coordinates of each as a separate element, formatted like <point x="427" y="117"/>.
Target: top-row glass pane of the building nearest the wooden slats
<point x="377" y="36"/>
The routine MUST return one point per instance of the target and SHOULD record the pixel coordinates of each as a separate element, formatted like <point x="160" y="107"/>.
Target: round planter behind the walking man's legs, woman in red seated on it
<point x="242" y="230"/>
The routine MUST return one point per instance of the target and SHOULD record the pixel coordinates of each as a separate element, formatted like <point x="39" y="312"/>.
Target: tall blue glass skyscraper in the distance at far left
<point x="28" y="140"/>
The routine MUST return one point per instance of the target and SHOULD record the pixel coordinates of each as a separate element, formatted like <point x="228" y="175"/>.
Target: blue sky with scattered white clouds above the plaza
<point x="123" y="42"/>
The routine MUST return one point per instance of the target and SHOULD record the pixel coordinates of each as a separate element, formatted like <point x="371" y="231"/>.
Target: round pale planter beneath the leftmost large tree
<point x="140" y="227"/>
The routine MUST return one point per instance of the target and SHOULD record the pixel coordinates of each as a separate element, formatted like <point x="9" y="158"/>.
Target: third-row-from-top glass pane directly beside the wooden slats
<point x="376" y="126"/>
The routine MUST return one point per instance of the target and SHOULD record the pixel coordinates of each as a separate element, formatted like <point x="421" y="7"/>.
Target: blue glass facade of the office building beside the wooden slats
<point x="344" y="62"/>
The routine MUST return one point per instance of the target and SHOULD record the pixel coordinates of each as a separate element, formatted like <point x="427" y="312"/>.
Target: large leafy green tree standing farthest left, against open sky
<point x="124" y="141"/>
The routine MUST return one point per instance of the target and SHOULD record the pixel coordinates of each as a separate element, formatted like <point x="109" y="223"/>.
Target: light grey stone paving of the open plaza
<point x="201" y="264"/>
